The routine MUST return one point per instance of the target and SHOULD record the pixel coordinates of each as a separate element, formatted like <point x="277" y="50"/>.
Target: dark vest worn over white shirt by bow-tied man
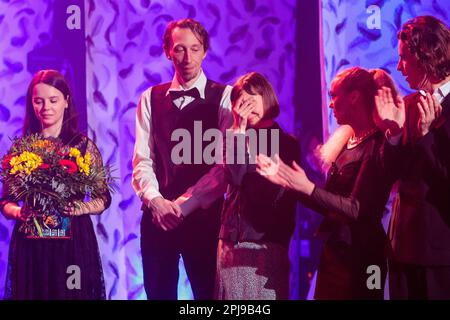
<point x="175" y="179"/>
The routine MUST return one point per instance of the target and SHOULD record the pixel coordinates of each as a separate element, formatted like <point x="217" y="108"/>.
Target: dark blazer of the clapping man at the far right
<point x="419" y="231"/>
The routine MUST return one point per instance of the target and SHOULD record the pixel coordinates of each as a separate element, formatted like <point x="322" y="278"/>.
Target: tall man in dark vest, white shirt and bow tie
<point x="180" y="211"/>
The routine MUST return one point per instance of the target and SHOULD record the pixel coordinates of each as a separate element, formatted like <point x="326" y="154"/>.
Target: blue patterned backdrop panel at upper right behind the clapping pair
<point x="364" y="33"/>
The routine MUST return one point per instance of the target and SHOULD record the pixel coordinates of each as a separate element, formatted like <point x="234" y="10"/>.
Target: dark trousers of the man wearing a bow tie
<point x="195" y="239"/>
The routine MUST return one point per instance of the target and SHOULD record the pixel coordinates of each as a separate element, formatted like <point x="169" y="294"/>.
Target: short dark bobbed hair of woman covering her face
<point x="255" y="83"/>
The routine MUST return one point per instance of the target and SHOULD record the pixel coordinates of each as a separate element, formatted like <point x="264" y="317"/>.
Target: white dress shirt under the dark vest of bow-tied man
<point x="211" y="186"/>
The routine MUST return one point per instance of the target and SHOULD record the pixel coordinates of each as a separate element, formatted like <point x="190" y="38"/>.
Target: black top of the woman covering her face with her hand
<point x="255" y="209"/>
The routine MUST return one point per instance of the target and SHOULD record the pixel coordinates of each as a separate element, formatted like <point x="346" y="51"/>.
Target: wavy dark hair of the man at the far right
<point x="428" y="39"/>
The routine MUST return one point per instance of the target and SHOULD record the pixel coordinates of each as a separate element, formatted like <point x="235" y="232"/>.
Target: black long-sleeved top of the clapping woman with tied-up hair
<point x="354" y="197"/>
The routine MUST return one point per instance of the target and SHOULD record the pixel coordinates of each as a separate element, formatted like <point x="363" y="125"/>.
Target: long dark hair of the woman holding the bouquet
<point x="70" y="119"/>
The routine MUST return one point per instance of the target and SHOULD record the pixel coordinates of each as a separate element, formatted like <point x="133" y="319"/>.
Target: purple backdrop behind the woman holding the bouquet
<point x="36" y="35"/>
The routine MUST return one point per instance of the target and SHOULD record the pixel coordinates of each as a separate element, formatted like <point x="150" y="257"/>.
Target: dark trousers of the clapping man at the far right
<point x="413" y="282"/>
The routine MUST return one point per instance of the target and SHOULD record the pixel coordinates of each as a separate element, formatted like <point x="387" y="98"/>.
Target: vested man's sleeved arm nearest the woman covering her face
<point x="213" y="184"/>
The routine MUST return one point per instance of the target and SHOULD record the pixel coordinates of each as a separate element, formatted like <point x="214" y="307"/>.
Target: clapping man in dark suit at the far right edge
<point x="418" y="153"/>
